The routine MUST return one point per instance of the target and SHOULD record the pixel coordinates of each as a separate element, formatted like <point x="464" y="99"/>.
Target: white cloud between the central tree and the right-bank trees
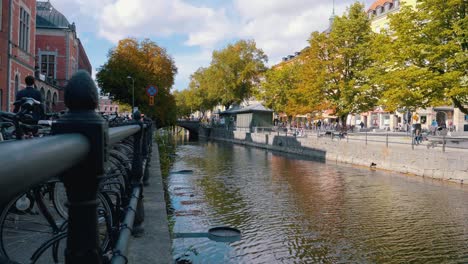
<point x="281" y="27"/>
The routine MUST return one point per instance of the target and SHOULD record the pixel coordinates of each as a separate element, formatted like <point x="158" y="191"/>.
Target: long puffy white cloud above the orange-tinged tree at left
<point x="160" y="18"/>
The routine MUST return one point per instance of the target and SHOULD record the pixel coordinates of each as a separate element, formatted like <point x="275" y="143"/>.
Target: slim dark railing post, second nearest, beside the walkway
<point x="137" y="174"/>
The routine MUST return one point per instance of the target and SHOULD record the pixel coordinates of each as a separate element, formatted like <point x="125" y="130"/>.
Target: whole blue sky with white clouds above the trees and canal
<point x="190" y="30"/>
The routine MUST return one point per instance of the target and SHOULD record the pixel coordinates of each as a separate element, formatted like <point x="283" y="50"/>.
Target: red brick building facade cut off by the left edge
<point x="17" y="47"/>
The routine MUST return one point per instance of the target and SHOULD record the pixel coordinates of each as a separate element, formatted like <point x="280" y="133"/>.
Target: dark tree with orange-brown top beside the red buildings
<point x="148" y="64"/>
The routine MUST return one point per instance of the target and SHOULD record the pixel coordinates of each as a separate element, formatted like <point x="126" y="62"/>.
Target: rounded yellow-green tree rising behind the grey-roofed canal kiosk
<point x="234" y="71"/>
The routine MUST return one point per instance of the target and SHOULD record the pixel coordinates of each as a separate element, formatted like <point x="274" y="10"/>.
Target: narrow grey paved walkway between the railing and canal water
<point x="155" y="246"/>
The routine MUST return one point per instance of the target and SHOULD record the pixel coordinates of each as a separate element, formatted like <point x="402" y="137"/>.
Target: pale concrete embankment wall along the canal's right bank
<point x="451" y="165"/>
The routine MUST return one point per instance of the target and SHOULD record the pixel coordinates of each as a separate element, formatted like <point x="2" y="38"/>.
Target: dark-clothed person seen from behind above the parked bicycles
<point x="36" y="109"/>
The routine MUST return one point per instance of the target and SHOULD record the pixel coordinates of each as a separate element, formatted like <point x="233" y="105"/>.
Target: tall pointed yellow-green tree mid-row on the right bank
<point x="335" y="65"/>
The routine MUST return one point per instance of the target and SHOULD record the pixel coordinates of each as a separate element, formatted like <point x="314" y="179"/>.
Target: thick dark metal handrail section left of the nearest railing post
<point x="44" y="158"/>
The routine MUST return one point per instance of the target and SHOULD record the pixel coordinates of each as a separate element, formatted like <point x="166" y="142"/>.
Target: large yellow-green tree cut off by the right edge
<point x="427" y="56"/>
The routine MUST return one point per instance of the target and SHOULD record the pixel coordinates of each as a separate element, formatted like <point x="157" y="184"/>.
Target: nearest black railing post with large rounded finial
<point x="81" y="181"/>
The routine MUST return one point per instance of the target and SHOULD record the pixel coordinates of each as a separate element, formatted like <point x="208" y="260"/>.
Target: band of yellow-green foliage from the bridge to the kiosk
<point x="233" y="73"/>
